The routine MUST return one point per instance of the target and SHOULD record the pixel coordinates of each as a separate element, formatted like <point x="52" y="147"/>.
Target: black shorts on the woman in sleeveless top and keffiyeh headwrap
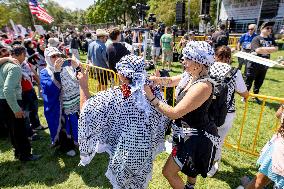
<point x="195" y="155"/>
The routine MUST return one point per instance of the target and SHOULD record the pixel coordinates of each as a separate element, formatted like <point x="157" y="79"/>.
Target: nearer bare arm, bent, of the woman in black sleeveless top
<point x="194" y="98"/>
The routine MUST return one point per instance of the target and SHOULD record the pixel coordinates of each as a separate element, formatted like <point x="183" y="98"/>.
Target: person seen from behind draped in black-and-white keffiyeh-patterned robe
<point x="122" y="122"/>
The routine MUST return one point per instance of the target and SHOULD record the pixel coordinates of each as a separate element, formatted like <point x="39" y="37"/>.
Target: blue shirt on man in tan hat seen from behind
<point x="97" y="54"/>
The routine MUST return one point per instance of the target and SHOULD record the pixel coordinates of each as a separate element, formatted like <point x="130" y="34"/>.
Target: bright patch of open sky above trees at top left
<point x="73" y="4"/>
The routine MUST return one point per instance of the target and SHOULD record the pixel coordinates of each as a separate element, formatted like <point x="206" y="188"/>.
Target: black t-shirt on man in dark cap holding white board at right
<point x="260" y="41"/>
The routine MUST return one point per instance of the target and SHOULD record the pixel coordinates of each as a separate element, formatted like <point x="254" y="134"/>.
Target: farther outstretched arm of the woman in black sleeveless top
<point x="166" y="81"/>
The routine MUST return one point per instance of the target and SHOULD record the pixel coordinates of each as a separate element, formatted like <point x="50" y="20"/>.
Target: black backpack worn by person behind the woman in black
<point x="218" y="109"/>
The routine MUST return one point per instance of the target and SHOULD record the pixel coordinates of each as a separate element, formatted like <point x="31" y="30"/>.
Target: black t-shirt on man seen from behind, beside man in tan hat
<point x="115" y="52"/>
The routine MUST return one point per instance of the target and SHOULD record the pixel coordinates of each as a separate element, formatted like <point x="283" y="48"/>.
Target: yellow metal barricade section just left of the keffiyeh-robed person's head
<point x="101" y="78"/>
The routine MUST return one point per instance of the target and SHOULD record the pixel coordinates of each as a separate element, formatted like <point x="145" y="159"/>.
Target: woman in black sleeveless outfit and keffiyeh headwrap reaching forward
<point x="196" y="135"/>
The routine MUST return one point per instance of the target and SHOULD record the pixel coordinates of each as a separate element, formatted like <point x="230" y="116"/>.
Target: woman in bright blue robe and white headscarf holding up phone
<point x="61" y="97"/>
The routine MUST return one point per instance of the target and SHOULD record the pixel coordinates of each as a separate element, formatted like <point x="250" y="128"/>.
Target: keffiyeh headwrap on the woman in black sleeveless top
<point x="200" y="52"/>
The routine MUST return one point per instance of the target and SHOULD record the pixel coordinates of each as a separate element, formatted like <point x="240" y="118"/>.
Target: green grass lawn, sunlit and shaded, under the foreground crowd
<point x="56" y="170"/>
